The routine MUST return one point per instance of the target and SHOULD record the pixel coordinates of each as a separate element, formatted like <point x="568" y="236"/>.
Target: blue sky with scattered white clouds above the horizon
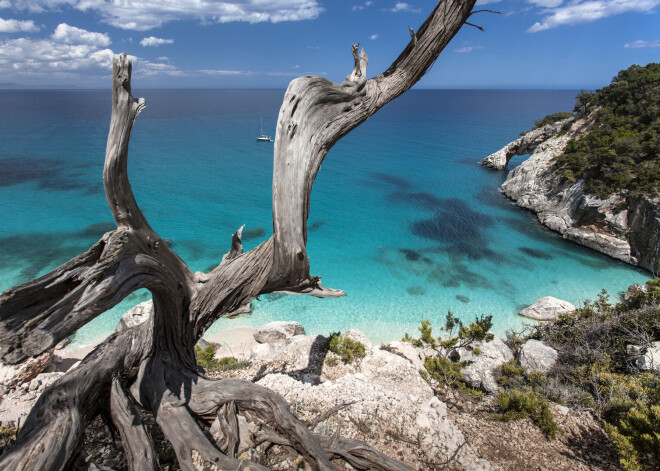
<point x="264" y="44"/>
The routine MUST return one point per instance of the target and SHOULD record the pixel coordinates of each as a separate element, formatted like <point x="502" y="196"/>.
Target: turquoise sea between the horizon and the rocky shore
<point x="403" y="218"/>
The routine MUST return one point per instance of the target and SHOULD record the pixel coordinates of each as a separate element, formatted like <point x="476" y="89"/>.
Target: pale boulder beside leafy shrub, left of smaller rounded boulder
<point x="479" y="373"/>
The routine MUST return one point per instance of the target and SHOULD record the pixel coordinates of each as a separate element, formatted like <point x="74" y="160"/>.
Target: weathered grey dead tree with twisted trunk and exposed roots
<point x="153" y="364"/>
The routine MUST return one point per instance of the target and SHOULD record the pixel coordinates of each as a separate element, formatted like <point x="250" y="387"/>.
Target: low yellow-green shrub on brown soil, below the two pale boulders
<point x="516" y="404"/>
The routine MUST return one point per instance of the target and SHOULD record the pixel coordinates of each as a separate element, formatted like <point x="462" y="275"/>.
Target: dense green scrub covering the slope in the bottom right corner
<point x="599" y="346"/>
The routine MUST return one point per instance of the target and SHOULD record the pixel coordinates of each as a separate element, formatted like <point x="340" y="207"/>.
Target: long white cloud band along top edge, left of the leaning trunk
<point x="142" y="15"/>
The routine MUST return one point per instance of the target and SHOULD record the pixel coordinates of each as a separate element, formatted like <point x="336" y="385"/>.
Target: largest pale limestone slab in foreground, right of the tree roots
<point x="384" y="398"/>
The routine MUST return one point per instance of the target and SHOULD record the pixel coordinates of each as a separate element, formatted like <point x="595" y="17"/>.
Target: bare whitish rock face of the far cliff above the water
<point x="623" y="227"/>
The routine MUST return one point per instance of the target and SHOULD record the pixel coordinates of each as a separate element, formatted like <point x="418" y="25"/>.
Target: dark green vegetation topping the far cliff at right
<point x="622" y="149"/>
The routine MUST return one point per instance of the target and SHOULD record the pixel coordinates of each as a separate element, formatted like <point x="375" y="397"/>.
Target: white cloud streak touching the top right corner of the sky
<point x="578" y="12"/>
